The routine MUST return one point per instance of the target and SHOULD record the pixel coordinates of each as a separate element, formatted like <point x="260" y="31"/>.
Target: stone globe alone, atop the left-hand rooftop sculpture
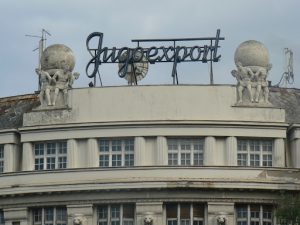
<point x="57" y="56"/>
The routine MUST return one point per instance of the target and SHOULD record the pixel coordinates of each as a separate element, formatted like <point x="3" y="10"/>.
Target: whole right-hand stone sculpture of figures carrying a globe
<point x="253" y="65"/>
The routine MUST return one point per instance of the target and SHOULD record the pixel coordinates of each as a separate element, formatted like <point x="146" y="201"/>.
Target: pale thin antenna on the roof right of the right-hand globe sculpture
<point x="287" y="77"/>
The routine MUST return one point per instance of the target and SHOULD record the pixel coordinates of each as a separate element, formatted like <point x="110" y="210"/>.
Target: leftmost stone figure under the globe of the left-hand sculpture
<point x="46" y="80"/>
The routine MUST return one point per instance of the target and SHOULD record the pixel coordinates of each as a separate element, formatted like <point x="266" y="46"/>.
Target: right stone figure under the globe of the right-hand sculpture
<point x="262" y="84"/>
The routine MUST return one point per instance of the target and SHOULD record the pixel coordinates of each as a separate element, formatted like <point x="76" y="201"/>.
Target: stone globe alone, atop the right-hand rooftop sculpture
<point x="252" y="54"/>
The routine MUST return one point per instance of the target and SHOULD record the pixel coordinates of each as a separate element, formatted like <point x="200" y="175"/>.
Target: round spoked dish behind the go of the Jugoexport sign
<point x="139" y="67"/>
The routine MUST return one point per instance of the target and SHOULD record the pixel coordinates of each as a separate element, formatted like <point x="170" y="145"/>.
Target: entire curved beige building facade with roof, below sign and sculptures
<point x="161" y="155"/>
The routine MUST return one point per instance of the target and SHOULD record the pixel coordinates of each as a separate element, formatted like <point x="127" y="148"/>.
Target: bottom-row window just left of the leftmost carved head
<point x="50" y="216"/>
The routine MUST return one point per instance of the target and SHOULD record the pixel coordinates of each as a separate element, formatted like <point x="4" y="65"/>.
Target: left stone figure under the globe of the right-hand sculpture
<point x="244" y="76"/>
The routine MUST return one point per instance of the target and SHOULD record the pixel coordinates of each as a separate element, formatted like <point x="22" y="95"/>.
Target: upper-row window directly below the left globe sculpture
<point x="49" y="156"/>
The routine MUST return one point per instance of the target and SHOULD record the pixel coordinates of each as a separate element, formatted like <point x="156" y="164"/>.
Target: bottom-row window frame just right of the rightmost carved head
<point x="249" y="218"/>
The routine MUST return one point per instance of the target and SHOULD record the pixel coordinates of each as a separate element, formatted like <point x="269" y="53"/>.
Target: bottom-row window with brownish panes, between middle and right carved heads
<point x="185" y="213"/>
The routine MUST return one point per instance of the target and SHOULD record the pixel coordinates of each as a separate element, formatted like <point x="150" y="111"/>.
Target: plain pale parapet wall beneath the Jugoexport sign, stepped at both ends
<point x="154" y="103"/>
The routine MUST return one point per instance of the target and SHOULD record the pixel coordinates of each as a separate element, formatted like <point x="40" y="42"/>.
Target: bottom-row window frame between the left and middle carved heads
<point x="109" y="214"/>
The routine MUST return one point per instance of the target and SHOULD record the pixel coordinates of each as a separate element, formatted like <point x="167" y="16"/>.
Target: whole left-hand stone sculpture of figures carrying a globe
<point x="56" y="76"/>
